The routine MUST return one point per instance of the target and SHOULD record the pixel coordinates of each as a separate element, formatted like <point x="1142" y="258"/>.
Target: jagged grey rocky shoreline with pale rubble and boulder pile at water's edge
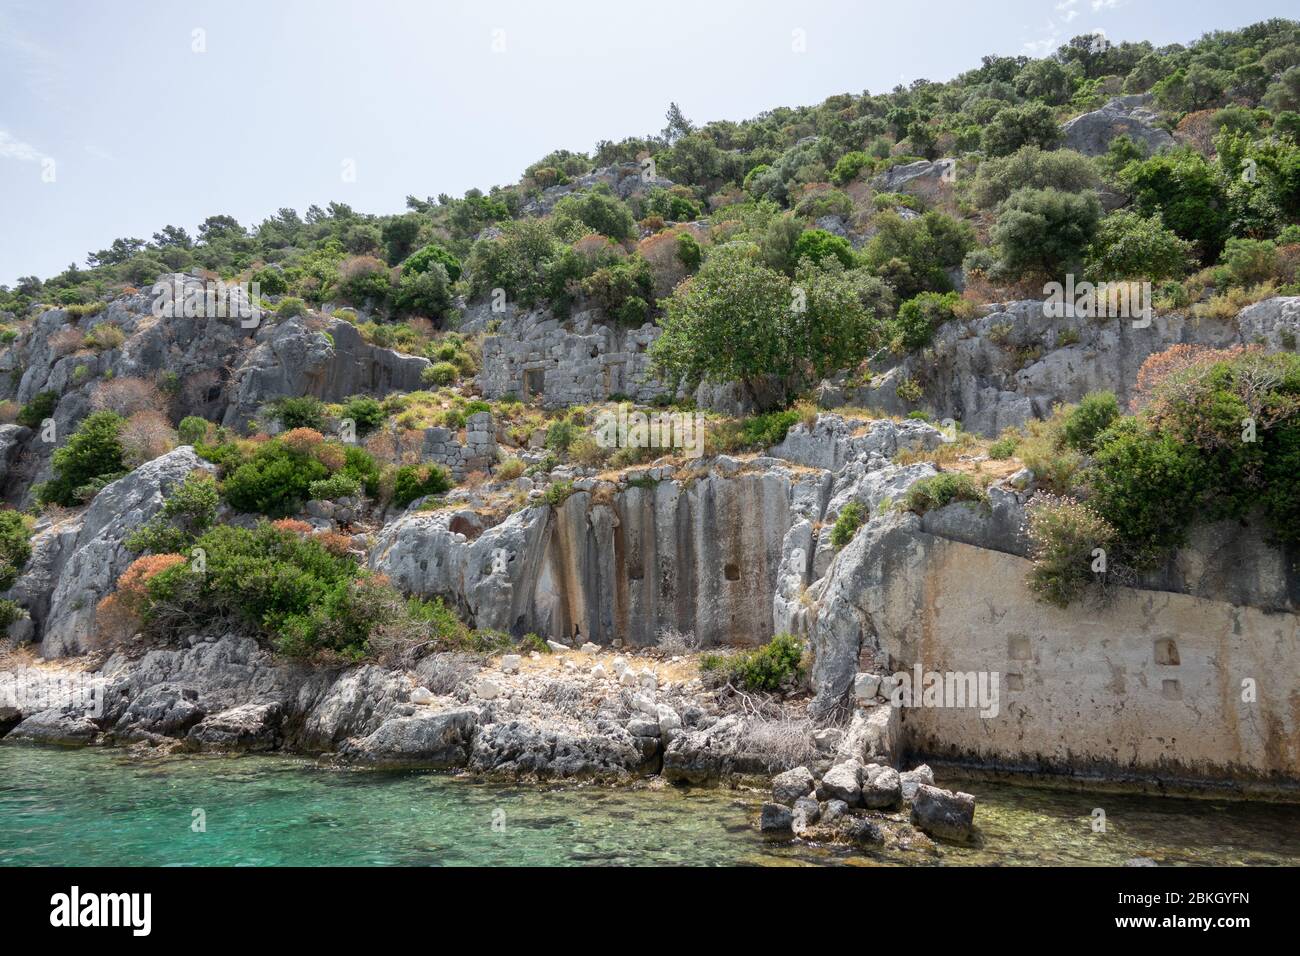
<point x="577" y="715"/>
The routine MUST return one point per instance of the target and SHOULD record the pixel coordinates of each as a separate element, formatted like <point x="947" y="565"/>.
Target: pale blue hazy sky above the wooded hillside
<point x="144" y="131"/>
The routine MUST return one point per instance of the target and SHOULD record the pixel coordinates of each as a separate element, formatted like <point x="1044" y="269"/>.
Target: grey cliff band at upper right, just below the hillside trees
<point x="1015" y="364"/>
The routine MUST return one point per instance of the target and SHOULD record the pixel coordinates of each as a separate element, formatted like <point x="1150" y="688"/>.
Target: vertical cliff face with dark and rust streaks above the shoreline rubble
<point x="700" y="557"/>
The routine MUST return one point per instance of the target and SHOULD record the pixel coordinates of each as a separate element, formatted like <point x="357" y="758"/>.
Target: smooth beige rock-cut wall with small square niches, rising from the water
<point x="1154" y="684"/>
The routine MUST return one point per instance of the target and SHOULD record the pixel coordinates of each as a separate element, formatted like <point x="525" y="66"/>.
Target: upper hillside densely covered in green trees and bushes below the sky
<point x="798" y="202"/>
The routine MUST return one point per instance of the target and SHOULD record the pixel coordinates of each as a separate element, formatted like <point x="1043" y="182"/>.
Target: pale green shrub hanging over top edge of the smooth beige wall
<point x="1065" y="537"/>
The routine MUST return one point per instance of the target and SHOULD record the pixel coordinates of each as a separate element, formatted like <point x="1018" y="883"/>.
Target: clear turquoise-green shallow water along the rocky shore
<point x="94" y="807"/>
